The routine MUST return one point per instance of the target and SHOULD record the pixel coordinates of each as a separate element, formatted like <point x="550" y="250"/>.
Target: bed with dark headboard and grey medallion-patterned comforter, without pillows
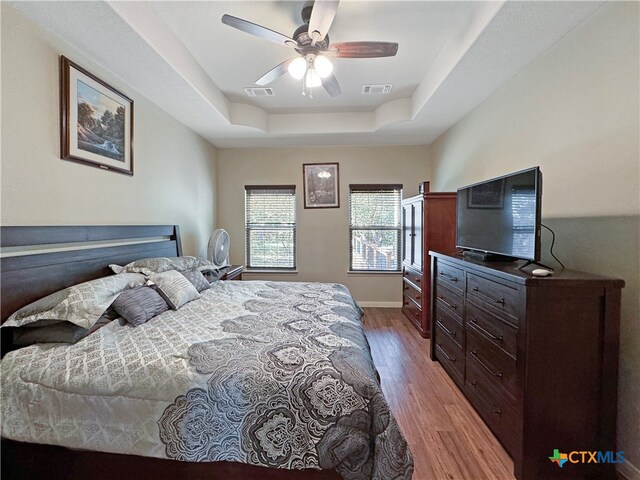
<point x="251" y="380"/>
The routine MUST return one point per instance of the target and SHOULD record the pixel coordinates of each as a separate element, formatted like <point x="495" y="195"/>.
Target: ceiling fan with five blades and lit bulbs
<point x="311" y="42"/>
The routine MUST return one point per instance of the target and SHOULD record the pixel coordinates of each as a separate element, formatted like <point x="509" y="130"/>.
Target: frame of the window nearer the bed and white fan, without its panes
<point x="269" y="226"/>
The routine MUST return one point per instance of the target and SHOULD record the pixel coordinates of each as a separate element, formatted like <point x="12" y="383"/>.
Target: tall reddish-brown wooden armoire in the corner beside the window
<point x="429" y="223"/>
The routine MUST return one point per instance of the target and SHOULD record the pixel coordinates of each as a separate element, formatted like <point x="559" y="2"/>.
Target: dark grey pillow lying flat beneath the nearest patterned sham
<point x="58" y="332"/>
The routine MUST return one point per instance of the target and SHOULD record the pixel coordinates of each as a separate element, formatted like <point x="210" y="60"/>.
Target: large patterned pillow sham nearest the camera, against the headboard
<point x="81" y="304"/>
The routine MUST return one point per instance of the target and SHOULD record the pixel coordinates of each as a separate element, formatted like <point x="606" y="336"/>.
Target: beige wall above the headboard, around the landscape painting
<point x="174" y="169"/>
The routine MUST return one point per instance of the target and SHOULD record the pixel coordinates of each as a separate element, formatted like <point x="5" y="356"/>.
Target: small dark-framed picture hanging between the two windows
<point x="321" y="185"/>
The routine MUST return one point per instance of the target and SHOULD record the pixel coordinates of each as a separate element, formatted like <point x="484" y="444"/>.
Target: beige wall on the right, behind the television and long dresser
<point x="575" y="112"/>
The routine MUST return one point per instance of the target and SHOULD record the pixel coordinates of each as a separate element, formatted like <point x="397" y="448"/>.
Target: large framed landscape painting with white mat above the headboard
<point x="96" y="121"/>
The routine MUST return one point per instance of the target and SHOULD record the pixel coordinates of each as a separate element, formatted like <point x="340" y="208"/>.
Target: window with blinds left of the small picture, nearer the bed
<point x="270" y="226"/>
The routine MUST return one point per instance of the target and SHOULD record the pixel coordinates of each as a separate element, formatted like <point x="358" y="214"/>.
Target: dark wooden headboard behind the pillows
<point x="38" y="261"/>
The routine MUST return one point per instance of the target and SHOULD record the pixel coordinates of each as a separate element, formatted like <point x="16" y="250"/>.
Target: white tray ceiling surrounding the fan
<point x="178" y="54"/>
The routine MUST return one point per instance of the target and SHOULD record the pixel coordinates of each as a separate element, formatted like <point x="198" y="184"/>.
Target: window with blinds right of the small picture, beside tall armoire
<point x="375" y="227"/>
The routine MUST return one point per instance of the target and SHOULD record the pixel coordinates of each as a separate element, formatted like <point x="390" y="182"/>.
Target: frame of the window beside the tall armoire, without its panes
<point x="373" y="188"/>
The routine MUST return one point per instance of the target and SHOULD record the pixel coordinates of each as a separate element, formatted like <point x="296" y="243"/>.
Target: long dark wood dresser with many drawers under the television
<point x="536" y="357"/>
